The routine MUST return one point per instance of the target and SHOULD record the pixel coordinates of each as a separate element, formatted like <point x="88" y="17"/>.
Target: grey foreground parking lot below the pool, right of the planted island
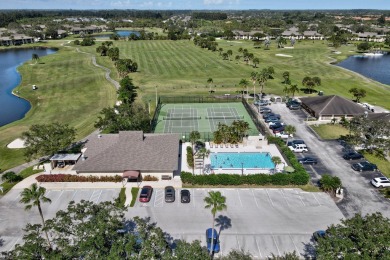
<point x="261" y="221"/>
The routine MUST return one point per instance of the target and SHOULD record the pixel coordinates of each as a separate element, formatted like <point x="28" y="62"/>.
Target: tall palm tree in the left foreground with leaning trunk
<point x="33" y="196"/>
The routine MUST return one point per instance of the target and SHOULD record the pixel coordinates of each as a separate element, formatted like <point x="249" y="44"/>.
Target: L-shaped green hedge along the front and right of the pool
<point x="299" y="177"/>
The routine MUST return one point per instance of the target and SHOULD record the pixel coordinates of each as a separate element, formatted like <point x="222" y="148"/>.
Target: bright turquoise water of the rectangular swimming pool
<point x="241" y="160"/>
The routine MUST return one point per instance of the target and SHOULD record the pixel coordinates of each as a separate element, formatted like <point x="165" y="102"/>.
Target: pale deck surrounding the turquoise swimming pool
<point x="242" y="148"/>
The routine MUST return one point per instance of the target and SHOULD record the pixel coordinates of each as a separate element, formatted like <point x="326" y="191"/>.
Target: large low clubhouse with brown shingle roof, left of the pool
<point x="131" y="154"/>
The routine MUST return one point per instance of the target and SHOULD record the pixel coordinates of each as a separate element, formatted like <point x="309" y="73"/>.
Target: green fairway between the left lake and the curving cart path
<point x="70" y="90"/>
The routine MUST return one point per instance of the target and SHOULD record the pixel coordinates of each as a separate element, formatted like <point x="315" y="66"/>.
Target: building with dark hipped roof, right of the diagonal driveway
<point x="329" y="107"/>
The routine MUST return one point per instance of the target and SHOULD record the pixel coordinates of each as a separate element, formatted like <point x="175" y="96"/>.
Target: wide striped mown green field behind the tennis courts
<point x="179" y="66"/>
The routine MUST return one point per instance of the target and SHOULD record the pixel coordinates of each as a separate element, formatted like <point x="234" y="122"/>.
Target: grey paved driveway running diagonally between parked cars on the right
<point x="360" y="196"/>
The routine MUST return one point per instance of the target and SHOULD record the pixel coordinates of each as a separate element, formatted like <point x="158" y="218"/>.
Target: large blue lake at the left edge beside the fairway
<point x="13" y="108"/>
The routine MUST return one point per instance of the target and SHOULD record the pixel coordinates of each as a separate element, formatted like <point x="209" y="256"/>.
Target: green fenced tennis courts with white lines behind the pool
<point x="202" y="117"/>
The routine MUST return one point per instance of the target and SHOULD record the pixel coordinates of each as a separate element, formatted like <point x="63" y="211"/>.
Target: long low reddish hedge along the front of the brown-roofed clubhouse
<point x="76" y="178"/>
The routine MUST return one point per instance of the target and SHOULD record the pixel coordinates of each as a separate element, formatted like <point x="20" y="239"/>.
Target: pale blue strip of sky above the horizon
<point x="195" y="4"/>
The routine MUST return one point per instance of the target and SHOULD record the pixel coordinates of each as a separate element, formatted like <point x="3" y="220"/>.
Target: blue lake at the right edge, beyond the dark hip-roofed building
<point x="374" y="67"/>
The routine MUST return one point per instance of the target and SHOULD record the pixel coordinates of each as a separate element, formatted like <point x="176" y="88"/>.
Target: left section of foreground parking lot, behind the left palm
<point x="13" y="217"/>
